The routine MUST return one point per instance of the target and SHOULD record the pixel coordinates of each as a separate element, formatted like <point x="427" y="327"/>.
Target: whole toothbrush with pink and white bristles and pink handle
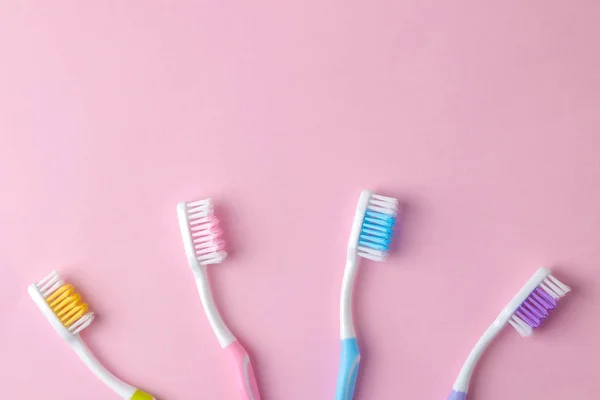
<point x="203" y="243"/>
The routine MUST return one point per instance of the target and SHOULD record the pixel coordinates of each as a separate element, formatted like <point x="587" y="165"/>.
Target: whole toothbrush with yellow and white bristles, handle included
<point x="69" y="315"/>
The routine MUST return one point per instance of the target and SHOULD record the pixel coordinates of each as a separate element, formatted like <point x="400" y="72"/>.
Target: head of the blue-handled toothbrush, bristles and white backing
<point x="373" y="226"/>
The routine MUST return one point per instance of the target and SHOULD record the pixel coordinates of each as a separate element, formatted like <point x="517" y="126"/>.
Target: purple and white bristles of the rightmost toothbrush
<point x="537" y="307"/>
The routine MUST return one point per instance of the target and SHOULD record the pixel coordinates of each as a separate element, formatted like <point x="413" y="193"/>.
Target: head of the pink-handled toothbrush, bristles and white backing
<point x="201" y="234"/>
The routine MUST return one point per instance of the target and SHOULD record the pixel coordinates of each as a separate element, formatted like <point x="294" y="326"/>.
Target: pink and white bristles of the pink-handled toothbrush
<point x="207" y="236"/>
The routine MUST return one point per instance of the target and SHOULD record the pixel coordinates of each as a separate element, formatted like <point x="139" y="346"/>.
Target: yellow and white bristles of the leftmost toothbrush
<point x="65" y="302"/>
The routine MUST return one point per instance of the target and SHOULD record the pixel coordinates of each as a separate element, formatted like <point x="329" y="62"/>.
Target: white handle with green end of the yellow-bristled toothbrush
<point x="123" y="389"/>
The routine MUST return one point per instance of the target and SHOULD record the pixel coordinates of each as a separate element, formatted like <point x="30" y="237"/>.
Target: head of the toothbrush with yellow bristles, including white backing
<point x="61" y="304"/>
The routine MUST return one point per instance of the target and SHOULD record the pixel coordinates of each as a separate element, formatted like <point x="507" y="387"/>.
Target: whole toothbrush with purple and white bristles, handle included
<point x="525" y="312"/>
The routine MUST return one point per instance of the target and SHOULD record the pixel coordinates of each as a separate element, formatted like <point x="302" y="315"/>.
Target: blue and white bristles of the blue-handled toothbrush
<point x="377" y="227"/>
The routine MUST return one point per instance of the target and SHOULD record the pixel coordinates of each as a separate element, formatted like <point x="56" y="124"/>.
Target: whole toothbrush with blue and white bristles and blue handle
<point x="370" y="238"/>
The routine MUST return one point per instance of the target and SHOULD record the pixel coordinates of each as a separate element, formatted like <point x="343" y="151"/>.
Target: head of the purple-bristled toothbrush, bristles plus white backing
<point x="541" y="294"/>
